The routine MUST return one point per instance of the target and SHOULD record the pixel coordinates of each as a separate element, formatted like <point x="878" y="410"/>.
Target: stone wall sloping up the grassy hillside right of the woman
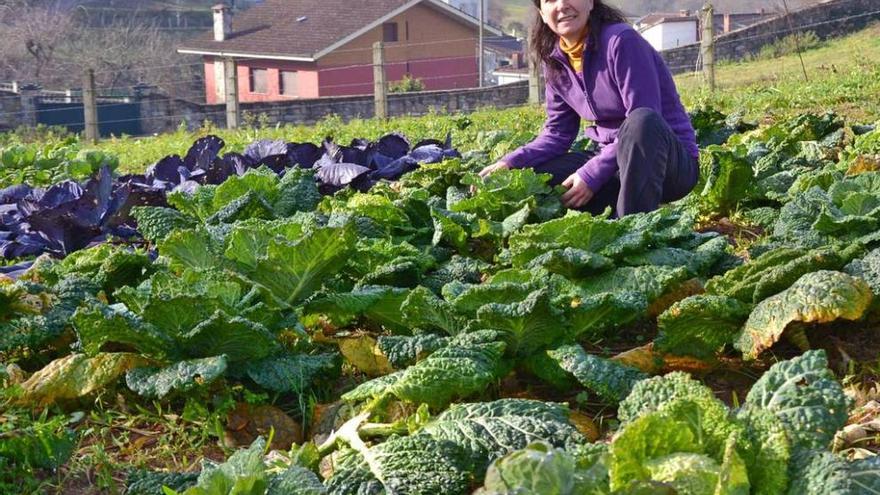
<point x="828" y="20"/>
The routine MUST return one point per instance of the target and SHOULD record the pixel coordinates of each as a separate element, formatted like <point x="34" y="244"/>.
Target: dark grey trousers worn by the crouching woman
<point x="653" y="167"/>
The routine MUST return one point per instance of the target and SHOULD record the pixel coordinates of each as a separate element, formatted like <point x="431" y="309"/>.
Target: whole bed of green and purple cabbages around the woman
<point x="393" y="324"/>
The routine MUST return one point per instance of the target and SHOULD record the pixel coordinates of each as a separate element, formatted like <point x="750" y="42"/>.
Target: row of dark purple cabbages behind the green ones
<point x="70" y="216"/>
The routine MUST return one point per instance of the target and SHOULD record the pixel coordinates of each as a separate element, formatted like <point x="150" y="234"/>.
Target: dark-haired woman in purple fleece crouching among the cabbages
<point x="598" y="68"/>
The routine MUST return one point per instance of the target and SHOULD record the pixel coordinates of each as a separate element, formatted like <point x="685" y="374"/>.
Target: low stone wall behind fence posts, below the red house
<point x="161" y="114"/>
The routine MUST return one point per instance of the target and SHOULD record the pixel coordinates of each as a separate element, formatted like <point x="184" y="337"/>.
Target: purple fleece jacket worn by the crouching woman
<point x="621" y="74"/>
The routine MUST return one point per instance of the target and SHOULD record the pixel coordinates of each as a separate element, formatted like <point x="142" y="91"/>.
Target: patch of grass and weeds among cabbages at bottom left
<point x="119" y="434"/>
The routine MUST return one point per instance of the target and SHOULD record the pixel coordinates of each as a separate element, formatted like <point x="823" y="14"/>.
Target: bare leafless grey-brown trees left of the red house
<point x="50" y="43"/>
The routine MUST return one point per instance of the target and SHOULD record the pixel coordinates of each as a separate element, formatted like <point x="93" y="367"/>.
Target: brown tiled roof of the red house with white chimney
<point x="296" y="28"/>
